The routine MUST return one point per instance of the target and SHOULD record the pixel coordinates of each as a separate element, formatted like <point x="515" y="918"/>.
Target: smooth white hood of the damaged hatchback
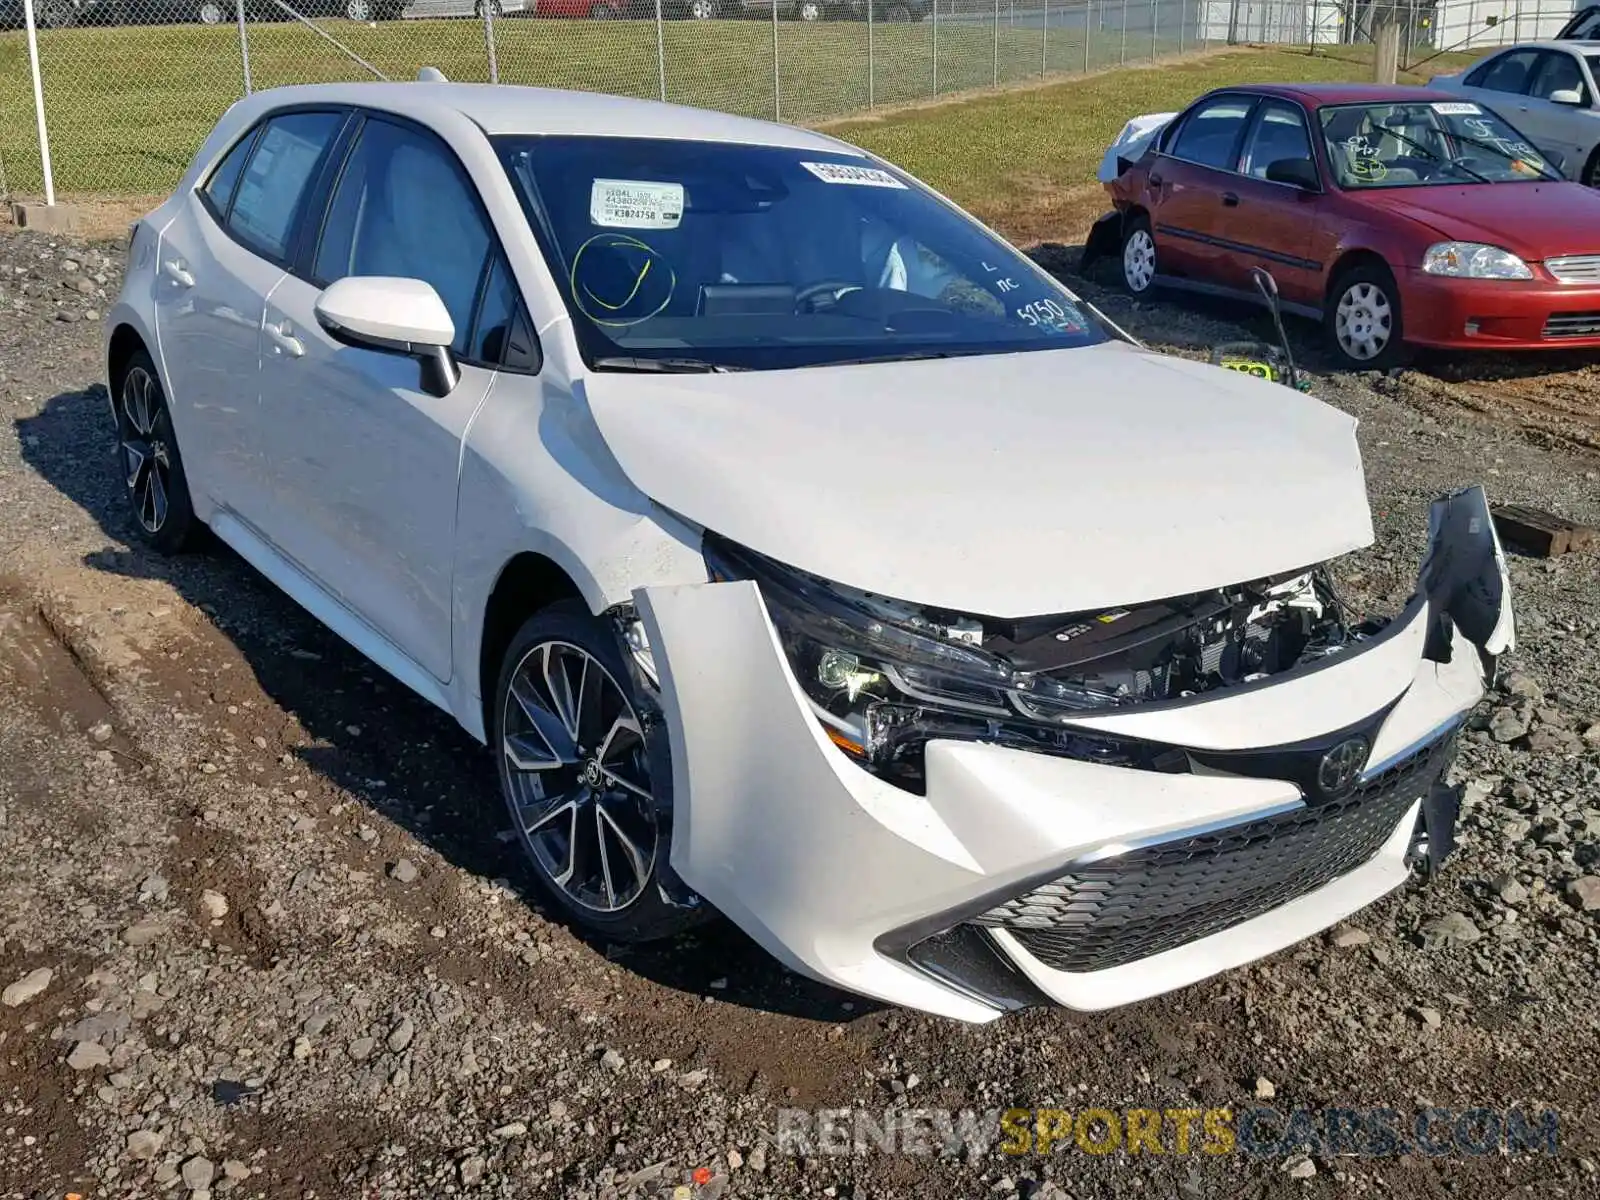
<point x="1001" y="486"/>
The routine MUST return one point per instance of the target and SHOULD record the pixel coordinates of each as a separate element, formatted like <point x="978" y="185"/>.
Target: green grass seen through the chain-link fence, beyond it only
<point x="127" y="108"/>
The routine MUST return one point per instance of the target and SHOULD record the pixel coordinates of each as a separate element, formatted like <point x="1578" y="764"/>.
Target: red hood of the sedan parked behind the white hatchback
<point x="1534" y="222"/>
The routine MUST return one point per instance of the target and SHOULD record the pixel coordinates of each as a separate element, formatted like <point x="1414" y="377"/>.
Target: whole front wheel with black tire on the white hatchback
<point x="585" y="775"/>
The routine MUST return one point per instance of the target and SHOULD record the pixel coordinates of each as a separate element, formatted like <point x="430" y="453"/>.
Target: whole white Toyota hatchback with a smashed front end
<point x="801" y="550"/>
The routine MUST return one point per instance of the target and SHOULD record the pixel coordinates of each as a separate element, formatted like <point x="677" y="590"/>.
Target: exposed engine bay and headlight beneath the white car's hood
<point x="886" y="676"/>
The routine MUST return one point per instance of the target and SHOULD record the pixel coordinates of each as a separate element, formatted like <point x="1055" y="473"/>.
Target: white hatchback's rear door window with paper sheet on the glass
<point x="273" y="188"/>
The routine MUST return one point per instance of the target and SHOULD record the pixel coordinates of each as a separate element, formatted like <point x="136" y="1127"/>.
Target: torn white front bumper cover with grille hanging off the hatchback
<point x="1023" y="878"/>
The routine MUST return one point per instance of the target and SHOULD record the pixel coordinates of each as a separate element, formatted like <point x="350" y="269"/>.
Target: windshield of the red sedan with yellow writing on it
<point x="1426" y="143"/>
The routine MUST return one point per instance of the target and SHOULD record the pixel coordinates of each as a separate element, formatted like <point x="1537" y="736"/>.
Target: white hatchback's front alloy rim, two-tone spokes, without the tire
<point x="578" y="777"/>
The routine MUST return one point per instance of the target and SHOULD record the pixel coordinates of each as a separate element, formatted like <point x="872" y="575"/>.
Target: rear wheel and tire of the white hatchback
<point x="153" y="470"/>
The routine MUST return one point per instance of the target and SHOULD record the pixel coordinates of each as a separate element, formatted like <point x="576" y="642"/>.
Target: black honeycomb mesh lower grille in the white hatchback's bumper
<point x="1146" y="902"/>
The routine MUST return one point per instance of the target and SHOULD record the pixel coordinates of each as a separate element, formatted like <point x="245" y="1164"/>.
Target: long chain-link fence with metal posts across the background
<point x="132" y="87"/>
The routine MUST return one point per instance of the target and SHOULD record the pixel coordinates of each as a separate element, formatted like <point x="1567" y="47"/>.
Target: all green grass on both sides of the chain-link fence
<point x="127" y="108"/>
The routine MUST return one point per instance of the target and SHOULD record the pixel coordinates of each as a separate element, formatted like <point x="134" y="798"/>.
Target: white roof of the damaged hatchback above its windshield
<point x="505" y="110"/>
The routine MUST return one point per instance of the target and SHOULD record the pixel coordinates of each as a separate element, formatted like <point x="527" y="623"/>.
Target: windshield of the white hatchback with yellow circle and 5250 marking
<point x="678" y="255"/>
